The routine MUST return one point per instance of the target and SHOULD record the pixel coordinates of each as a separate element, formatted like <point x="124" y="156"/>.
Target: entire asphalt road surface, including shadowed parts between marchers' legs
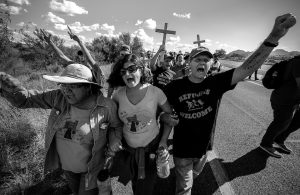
<point x="236" y="165"/>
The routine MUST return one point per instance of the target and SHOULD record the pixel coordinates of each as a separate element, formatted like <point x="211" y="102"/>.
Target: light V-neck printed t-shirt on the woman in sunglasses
<point x="140" y="124"/>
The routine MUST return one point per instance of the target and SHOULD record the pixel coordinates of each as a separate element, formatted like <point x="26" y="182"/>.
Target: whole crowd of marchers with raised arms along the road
<point x="148" y="96"/>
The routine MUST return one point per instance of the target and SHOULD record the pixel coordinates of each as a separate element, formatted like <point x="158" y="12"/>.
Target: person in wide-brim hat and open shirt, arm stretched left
<point x="81" y="124"/>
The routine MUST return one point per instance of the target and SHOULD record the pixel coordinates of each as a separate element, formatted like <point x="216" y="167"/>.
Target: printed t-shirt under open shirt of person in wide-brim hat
<point x="74" y="141"/>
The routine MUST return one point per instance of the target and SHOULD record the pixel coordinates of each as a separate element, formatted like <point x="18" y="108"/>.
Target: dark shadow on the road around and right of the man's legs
<point x="250" y="163"/>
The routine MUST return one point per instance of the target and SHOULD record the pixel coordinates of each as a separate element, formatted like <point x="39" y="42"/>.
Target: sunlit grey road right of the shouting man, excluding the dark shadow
<point x="244" y="115"/>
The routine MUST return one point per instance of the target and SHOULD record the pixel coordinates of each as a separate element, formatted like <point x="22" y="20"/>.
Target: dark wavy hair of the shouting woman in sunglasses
<point x="116" y="80"/>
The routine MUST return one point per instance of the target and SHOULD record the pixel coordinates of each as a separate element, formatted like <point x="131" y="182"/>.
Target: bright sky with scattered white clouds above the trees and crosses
<point x="227" y="24"/>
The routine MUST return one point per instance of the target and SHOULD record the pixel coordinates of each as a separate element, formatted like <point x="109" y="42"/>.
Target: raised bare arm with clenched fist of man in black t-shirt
<point x="282" y="25"/>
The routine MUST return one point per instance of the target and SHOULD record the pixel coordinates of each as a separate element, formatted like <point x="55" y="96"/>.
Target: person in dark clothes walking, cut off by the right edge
<point x="285" y="102"/>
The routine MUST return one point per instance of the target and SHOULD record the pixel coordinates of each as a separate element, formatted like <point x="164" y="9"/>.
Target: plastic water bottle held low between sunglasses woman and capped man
<point x="162" y="162"/>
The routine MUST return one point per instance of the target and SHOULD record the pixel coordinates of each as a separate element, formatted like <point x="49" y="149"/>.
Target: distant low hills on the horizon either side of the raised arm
<point x="277" y="52"/>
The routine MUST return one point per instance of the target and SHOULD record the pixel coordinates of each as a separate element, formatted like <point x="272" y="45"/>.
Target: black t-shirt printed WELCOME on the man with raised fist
<point x="196" y="105"/>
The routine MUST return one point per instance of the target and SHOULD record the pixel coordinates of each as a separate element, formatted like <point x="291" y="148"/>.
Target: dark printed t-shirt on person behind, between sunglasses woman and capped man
<point x="161" y="77"/>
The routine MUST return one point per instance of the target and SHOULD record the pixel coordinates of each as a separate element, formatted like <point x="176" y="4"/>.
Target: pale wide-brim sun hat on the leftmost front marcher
<point x="73" y="73"/>
